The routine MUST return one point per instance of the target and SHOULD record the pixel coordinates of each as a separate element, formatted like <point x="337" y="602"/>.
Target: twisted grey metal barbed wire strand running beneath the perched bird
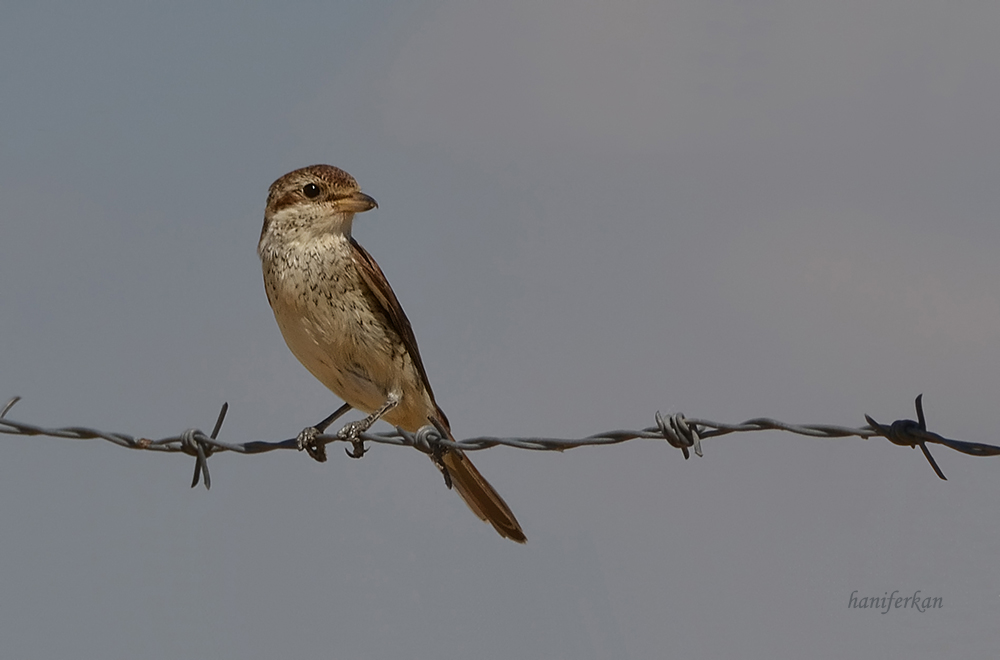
<point x="682" y="432"/>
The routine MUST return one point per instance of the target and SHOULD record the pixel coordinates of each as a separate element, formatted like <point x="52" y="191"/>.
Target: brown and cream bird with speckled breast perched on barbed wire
<point x="340" y="317"/>
